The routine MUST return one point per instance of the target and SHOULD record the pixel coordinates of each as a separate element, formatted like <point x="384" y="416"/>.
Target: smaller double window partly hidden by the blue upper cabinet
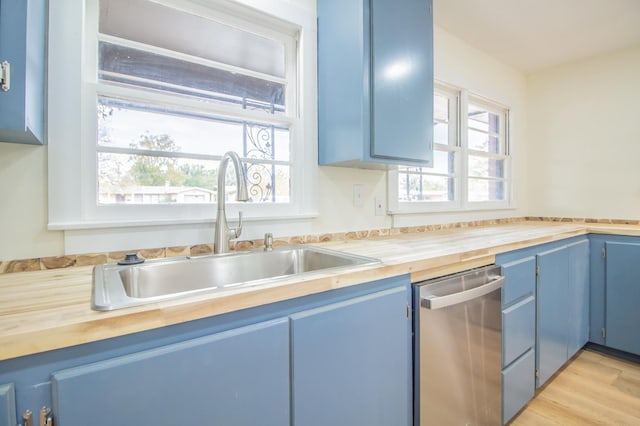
<point x="471" y="161"/>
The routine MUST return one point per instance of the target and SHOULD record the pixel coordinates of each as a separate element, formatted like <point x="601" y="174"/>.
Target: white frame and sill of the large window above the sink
<point x="72" y="93"/>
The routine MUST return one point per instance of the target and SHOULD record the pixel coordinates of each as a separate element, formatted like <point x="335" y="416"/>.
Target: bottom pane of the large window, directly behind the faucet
<point x="138" y="179"/>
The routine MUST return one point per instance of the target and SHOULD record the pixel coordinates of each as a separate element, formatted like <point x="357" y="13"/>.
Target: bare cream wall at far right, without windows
<point x="584" y="138"/>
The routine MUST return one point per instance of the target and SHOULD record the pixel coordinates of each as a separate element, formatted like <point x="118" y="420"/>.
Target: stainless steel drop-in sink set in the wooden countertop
<point x="116" y="286"/>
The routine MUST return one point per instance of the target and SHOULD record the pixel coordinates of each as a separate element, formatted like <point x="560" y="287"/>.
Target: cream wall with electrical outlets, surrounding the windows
<point x="23" y="169"/>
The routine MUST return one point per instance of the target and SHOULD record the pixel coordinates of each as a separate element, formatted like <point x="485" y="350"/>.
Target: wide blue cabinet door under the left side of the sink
<point x="236" y="377"/>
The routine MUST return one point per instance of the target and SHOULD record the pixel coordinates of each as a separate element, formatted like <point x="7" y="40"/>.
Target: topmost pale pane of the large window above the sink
<point x="194" y="35"/>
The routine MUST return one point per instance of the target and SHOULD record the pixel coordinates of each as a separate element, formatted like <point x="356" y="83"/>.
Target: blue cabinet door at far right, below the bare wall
<point x="623" y="296"/>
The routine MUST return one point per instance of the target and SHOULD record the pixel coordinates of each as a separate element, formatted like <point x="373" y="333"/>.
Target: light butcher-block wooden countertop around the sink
<point x="47" y="310"/>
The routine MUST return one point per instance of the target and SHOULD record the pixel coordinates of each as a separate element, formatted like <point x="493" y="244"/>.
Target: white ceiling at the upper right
<point x="532" y="35"/>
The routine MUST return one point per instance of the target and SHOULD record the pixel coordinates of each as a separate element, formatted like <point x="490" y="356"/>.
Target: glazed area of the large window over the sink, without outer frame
<point x="171" y="103"/>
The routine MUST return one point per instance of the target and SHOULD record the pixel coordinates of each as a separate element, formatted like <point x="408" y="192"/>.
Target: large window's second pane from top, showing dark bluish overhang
<point x="139" y="68"/>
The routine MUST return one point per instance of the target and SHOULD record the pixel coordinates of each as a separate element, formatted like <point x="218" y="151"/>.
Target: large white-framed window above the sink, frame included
<point x="147" y="102"/>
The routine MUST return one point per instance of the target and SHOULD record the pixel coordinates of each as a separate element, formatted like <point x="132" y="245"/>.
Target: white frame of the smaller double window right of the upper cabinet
<point x="459" y="100"/>
